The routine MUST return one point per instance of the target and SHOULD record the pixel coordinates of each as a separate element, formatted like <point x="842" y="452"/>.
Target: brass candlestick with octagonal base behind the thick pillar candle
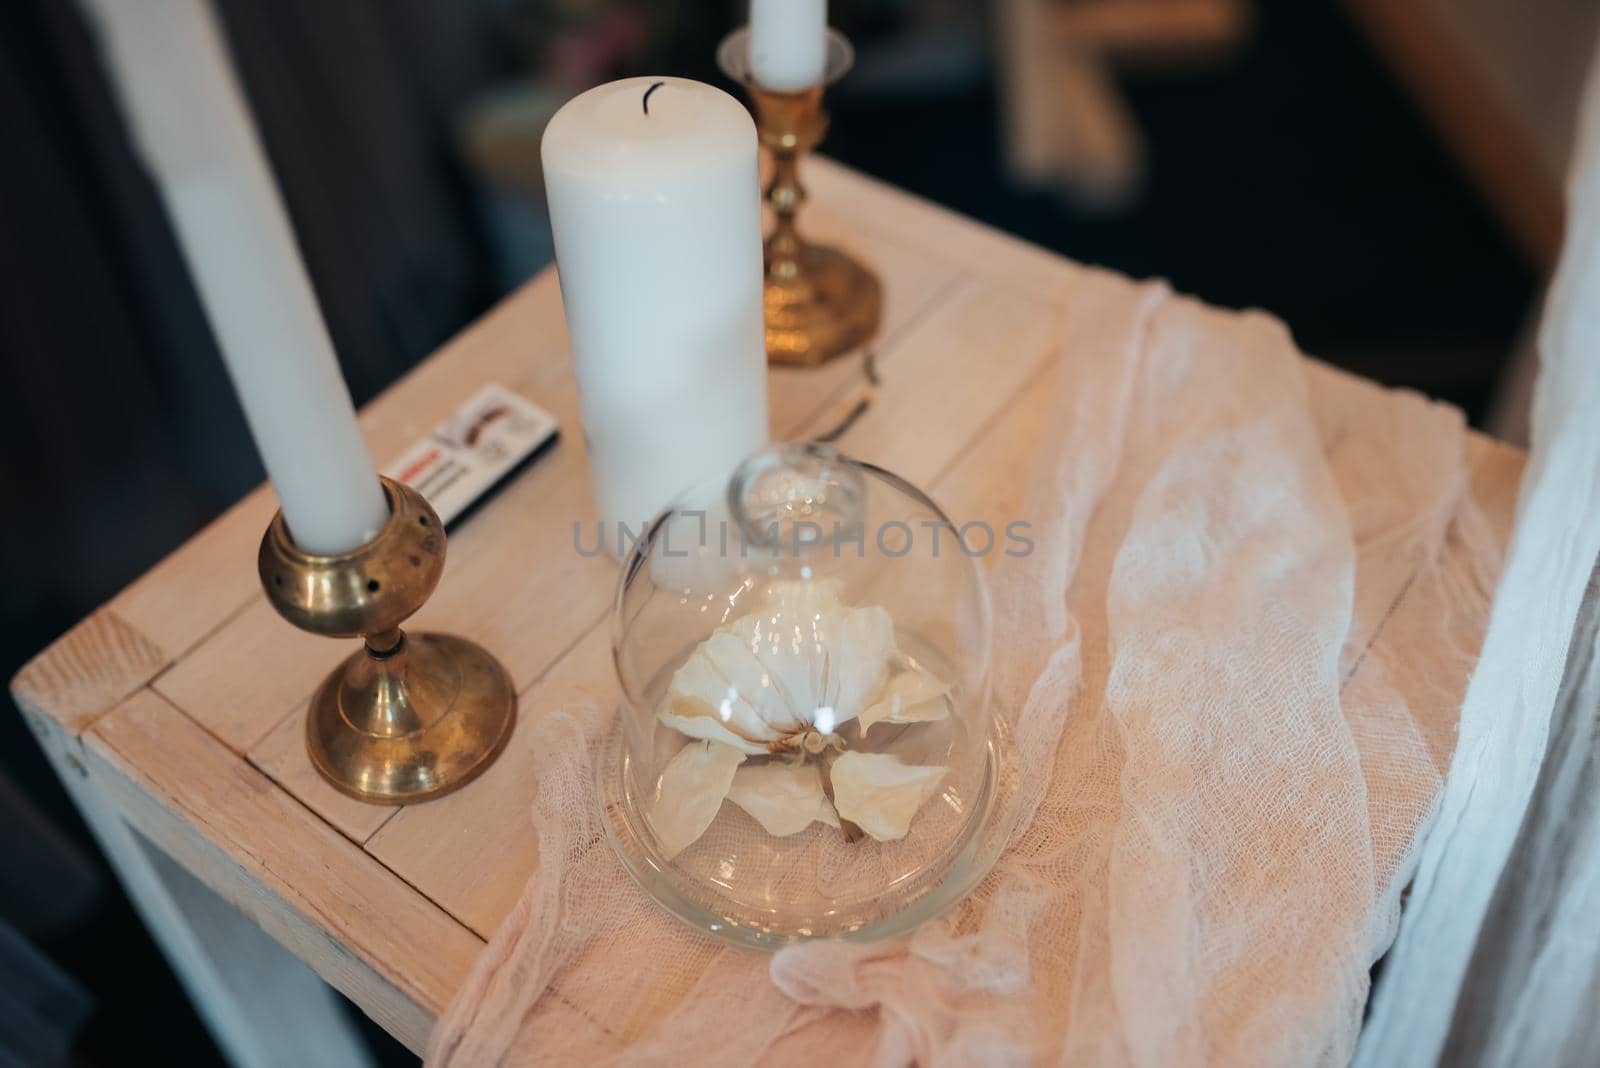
<point x="820" y="301"/>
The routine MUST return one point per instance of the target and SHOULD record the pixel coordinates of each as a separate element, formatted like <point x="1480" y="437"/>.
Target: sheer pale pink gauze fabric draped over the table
<point x="1222" y="775"/>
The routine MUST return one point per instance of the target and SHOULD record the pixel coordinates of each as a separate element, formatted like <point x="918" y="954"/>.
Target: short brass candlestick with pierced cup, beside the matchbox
<point x="410" y="717"/>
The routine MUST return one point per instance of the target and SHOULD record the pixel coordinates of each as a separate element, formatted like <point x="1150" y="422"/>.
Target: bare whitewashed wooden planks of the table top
<point x="185" y="696"/>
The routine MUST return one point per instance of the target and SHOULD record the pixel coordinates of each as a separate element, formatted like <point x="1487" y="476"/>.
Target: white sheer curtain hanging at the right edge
<point x="1498" y="960"/>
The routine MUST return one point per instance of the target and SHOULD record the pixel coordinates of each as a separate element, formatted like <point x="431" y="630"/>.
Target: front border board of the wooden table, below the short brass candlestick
<point x="361" y="928"/>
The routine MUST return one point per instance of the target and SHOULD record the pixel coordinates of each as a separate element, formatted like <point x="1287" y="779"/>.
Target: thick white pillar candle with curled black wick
<point x="655" y="205"/>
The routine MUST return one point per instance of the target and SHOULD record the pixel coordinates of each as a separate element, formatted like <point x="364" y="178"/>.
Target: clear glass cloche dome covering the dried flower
<point x="807" y="746"/>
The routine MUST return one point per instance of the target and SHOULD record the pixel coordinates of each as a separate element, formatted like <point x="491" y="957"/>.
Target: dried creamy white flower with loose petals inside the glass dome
<point x="783" y="680"/>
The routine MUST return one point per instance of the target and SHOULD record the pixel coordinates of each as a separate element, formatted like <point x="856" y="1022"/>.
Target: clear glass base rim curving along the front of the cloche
<point x="756" y="919"/>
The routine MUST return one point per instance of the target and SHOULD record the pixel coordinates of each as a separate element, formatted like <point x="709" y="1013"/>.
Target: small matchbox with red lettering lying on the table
<point x="474" y="450"/>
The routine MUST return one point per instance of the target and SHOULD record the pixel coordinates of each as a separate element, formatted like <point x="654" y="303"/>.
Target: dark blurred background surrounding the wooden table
<point x="1292" y="156"/>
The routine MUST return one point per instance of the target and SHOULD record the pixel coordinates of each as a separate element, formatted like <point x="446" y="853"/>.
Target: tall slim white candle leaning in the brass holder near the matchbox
<point x="194" y="133"/>
